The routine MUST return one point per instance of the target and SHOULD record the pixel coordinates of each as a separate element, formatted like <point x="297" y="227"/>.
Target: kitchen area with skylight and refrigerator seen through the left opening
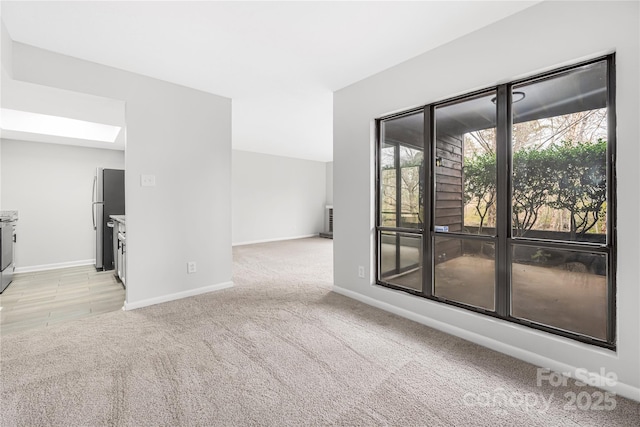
<point x="59" y="261"/>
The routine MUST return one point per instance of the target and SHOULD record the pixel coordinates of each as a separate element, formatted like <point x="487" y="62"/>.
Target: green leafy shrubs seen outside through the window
<point x="569" y="178"/>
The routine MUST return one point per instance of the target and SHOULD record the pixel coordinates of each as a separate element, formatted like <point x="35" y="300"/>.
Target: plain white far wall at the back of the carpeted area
<point x="276" y="198"/>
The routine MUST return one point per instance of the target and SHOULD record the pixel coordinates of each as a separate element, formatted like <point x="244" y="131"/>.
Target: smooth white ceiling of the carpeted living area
<point x="279" y="61"/>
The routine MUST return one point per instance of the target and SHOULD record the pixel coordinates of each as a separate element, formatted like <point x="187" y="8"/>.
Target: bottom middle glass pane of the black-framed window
<point x="465" y="271"/>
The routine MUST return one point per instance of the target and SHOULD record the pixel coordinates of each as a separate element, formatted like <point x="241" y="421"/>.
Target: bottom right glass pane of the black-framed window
<point x="560" y="288"/>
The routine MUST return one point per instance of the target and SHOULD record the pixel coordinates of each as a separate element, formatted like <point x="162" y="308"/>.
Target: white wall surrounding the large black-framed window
<point x="539" y="38"/>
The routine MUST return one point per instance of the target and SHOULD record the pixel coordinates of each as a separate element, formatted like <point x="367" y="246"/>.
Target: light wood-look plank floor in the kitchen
<point x="45" y="298"/>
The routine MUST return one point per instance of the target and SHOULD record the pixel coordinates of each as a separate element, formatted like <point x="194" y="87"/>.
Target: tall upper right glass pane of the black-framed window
<point x="560" y="157"/>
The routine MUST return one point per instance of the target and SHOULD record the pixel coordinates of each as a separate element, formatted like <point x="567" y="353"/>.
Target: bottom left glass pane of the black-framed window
<point x="401" y="259"/>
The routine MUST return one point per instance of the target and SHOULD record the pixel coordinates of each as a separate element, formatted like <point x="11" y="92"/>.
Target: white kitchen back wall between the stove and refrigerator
<point x="50" y="187"/>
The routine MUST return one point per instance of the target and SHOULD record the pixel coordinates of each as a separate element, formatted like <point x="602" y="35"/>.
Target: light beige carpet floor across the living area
<point x="278" y="349"/>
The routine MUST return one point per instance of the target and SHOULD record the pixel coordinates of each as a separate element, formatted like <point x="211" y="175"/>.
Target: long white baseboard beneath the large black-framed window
<point x="622" y="389"/>
